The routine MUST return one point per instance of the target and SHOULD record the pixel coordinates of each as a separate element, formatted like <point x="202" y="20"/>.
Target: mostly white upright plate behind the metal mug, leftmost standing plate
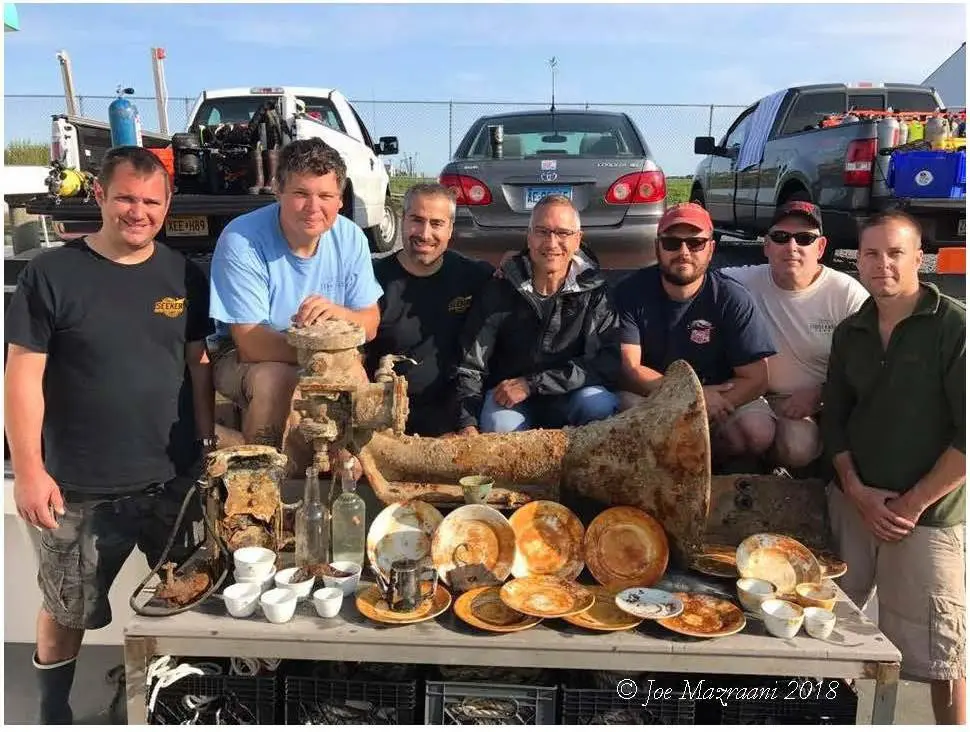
<point x="402" y="531"/>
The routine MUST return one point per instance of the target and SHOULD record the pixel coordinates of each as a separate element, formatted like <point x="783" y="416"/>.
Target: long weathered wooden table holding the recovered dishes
<point x="856" y="649"/>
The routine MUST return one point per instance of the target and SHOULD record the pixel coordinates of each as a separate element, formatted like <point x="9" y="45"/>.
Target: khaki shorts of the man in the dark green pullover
<point x="921" y="582"/>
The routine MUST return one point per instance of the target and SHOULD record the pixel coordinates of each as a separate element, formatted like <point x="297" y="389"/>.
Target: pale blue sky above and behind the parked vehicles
<point x="626" y="54"/>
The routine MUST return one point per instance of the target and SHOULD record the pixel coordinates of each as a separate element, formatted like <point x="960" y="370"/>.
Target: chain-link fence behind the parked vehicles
<point x="428" y="131"/>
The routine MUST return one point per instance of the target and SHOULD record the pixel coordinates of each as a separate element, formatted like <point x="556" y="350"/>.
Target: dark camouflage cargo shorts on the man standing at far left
<point x="81" y="558"/>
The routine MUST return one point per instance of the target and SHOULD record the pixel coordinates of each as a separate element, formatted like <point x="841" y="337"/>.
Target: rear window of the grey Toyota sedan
<point x="562" y="134"/>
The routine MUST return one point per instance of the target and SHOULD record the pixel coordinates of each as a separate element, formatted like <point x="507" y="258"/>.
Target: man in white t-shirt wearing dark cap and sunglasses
<point x="802" y="301"/>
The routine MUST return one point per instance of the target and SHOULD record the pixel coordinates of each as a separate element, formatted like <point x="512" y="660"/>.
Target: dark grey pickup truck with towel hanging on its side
<point x="838" y="168"/>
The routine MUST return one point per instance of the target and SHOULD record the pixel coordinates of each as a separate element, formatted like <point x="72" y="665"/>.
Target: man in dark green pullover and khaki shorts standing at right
<point x="894" y="425"/>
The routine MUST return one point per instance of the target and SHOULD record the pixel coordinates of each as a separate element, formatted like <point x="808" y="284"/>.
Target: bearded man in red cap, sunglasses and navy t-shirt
<point x="679" y="309"/>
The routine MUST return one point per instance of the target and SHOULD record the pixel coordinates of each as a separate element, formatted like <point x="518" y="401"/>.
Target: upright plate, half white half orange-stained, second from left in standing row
<point x="473" y="547"/>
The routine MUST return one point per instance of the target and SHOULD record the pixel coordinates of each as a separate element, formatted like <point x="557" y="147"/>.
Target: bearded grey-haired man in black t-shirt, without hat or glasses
<point x="427" y="293"/>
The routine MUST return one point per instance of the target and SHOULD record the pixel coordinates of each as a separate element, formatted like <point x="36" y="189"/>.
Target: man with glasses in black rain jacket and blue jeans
<point x="540" y="347"/>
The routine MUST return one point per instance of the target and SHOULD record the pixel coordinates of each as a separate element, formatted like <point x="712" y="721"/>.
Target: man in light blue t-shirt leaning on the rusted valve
<point x="294" y="262"/>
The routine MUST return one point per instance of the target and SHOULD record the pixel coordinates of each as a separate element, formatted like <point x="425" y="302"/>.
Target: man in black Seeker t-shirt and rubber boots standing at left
<point x="100" y="333"/>
